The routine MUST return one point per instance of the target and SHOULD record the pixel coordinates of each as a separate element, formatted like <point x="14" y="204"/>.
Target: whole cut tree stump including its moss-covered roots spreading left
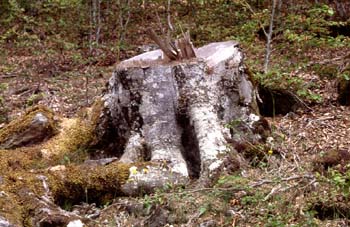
<point x="159" y="123"/>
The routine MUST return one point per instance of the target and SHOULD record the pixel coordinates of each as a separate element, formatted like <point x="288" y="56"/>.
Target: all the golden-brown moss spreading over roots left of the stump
<point x="21" y="167"/>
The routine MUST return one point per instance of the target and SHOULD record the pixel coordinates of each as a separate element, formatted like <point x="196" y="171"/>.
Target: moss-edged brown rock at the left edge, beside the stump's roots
<point x="35" y="126"/>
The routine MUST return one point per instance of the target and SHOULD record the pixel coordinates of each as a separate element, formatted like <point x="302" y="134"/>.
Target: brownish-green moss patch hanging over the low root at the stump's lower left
<point x="88" y="184"/>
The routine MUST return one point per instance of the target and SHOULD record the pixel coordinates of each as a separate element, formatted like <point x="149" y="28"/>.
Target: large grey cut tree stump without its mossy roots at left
<point x="174" y="115"/>
